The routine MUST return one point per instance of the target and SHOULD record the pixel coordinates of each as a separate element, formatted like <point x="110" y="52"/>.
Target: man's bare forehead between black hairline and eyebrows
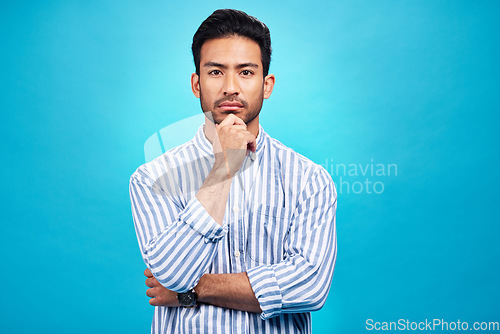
<point x="230" y="50"/>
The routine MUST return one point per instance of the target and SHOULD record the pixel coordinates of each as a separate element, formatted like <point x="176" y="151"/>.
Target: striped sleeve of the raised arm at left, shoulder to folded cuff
<point x="177" y="242"/>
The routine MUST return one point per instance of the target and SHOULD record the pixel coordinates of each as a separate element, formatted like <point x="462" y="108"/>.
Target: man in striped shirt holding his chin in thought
<point x="237" y="230"/>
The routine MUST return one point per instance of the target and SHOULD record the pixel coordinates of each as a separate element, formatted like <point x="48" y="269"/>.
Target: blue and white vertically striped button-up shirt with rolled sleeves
<point x="279" y="228"/>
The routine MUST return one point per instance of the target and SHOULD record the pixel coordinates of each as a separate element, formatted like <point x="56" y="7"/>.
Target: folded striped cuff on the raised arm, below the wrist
<point x="196" y="216"/>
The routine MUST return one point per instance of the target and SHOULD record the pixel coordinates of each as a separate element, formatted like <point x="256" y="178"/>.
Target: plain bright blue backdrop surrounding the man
<point x="413" y="83"/>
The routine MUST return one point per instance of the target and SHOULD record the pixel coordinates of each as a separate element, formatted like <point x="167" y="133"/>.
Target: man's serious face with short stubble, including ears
<point x="231" y="79"/>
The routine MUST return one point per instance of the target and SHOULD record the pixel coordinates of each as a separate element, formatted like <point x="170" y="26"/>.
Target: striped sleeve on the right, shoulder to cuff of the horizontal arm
<point x="301" y="282"/>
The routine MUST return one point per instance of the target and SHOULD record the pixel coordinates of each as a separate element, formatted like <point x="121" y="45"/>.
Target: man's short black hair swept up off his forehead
<point x="230" y="22"/>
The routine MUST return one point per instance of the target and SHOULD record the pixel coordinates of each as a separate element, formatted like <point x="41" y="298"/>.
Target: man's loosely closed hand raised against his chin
<point x="233" y="140"/>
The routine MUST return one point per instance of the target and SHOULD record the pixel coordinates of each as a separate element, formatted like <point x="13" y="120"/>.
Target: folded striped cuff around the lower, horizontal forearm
<point x="266" y="289"/>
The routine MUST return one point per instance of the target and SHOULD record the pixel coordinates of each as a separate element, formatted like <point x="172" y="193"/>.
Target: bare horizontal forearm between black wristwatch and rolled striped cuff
<point x="228" y="290"/>
